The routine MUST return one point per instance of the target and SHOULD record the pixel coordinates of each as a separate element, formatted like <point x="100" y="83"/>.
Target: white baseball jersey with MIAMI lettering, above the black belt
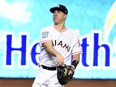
<point x="65" y="42"/>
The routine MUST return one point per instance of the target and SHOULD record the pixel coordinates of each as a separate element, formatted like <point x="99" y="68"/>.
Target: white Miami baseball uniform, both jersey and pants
<point x="66" y="43"/>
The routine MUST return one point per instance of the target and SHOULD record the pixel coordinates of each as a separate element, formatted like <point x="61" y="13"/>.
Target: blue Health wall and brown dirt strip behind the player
<point x="20" y="25"/>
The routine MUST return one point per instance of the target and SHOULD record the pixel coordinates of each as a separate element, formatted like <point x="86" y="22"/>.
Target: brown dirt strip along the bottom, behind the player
<point x="73" y="83"/>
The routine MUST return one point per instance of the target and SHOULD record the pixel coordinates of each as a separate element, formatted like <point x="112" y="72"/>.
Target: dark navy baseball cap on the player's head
<point x="60" y="8"/>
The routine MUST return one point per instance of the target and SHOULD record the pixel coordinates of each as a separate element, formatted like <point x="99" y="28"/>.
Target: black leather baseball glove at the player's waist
<point x="64" y="74"/>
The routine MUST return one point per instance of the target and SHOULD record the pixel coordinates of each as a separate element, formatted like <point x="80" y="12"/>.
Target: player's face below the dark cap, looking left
<point x="58" y="17"/>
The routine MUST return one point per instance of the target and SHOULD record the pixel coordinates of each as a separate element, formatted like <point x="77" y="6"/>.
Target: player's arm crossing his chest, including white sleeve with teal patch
<point x="46" y="41"/>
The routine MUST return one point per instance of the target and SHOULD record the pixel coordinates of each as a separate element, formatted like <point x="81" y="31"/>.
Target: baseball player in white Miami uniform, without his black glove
<point x="57" y="43"/>
